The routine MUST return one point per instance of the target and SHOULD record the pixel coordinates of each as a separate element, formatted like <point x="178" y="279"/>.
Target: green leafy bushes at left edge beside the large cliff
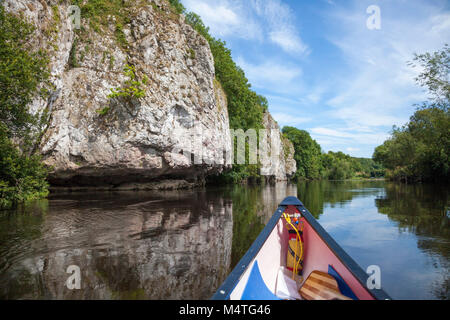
<point x="22" y="175"/>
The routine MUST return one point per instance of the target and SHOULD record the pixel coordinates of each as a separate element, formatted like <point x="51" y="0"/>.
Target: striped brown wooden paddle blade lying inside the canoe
<point x="321" y="286"/>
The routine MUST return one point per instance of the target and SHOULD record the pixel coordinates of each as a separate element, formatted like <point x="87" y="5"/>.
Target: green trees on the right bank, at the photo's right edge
<point x="419" y="151"/>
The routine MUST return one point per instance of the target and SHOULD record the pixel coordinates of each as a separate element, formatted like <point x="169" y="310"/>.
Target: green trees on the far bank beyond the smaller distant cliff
<point x="313" y="164"/>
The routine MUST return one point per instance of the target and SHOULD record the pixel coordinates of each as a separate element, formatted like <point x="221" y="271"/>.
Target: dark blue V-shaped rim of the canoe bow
<point x="225" y="290"/>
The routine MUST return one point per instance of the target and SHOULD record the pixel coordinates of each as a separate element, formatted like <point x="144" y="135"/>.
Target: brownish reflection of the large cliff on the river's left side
<point x="175" y="245"/>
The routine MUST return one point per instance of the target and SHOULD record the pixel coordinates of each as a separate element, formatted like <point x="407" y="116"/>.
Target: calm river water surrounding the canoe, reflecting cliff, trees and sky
<point x="183" y="244"/>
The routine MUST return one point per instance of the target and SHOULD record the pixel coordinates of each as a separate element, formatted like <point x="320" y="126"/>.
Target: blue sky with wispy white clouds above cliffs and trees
<point x="323" y="70"/>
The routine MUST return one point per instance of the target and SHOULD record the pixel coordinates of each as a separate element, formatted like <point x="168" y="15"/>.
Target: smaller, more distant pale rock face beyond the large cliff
<point x="280" y="164"/>
